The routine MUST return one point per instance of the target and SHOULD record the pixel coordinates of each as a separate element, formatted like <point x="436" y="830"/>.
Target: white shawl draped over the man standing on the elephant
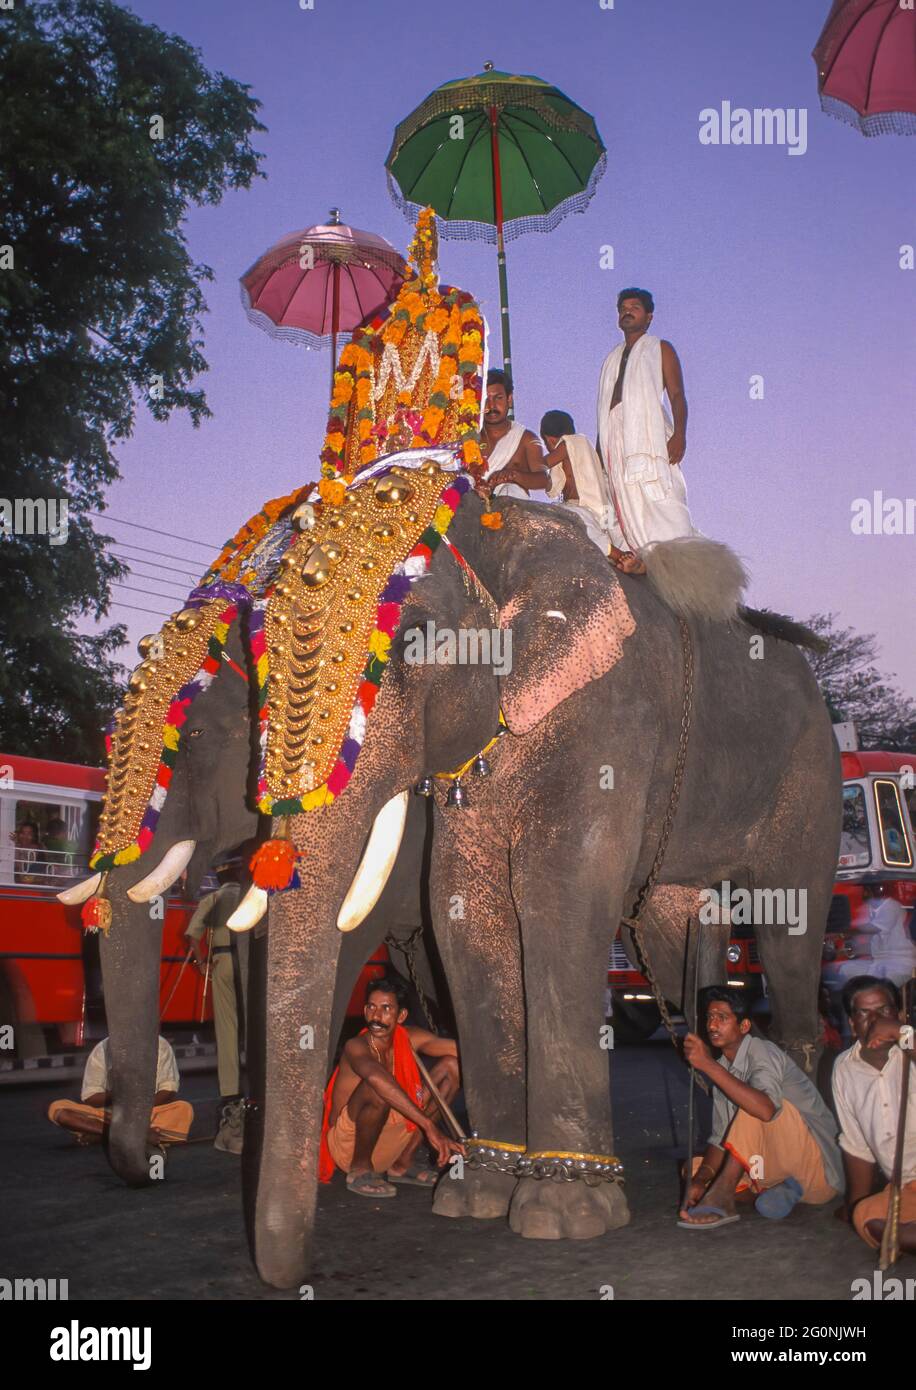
<point x="647" y="426"/>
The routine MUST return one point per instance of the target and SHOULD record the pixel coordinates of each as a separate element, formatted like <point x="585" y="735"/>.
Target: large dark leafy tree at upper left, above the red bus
<point x="101" y="308"/>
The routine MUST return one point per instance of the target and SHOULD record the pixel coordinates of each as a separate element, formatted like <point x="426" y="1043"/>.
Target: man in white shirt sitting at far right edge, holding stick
<point x="867" y="1086"/>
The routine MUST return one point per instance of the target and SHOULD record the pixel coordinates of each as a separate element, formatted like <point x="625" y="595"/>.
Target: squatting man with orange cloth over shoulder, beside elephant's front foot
<point x="377" y="1109"/>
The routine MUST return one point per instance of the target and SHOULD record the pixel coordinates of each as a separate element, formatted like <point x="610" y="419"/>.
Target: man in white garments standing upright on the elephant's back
<point x="641" y="445"/>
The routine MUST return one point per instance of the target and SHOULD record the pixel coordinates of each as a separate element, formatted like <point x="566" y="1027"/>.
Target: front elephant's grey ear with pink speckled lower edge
<point x="568" y="614"/>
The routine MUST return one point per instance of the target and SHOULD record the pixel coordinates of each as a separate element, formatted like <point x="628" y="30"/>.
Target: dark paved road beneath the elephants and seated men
<point x="69" y="1217"/>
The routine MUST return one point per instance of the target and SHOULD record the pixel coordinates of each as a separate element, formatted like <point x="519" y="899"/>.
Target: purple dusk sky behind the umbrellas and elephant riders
<point x="761" y="263"/>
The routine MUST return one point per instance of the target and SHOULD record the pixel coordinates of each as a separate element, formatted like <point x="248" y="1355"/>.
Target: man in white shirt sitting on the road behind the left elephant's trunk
<point x="170" y="1120"/>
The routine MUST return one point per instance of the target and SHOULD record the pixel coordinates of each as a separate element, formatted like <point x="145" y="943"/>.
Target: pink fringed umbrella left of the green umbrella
<point x="320" y="283"/>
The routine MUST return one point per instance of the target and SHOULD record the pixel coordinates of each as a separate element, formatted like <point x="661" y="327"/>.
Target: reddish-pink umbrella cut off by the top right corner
<point x="867" y="66"/>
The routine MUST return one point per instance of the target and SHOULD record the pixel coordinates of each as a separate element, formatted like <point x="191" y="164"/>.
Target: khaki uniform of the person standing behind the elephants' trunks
<point x="229" y="978"/>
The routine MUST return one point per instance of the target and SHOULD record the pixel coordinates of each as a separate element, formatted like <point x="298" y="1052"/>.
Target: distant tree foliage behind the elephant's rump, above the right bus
<point x="856" y="690"/>
